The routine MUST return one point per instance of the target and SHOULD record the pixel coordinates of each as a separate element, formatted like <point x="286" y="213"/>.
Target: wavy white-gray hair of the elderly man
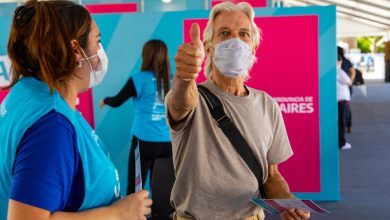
<point x="209" y="30"/>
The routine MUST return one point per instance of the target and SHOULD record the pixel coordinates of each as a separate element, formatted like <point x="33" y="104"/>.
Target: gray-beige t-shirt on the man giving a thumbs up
<point x="212" y="180"/>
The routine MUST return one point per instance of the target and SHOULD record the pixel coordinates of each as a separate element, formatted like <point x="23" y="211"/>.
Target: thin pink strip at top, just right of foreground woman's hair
<point x="112" y="8"/>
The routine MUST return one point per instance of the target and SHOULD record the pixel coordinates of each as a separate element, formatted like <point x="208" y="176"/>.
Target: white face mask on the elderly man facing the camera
<point x="233" y="57"/>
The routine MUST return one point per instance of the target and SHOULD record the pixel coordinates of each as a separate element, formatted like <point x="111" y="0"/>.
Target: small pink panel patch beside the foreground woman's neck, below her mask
<point x="85" y="106"/>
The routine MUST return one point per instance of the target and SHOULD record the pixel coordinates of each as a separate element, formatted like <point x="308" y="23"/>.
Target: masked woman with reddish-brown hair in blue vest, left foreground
<point x="52" y="163"/>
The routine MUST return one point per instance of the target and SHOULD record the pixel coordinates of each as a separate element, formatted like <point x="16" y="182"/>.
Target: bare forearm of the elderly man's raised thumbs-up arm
<point x="183" y="98"/>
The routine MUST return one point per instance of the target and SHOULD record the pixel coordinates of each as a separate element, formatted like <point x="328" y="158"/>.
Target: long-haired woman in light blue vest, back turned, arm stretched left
<point x="148" y="88"/>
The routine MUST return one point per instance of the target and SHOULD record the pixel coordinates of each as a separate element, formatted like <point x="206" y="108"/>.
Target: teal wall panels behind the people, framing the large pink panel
<point x="123" y="36"/>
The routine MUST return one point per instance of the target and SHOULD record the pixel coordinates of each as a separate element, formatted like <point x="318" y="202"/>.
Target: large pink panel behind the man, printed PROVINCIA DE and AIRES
<point x="287" y="69"/>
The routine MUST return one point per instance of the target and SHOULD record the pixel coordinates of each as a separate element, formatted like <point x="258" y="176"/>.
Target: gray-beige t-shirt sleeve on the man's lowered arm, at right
<point x="280" y="149"/>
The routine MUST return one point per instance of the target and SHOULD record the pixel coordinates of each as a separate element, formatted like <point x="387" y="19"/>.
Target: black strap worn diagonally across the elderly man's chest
<point x="233" y="134"/>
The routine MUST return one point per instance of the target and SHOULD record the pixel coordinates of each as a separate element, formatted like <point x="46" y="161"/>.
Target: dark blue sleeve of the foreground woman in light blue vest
<point x="45" y="163"/>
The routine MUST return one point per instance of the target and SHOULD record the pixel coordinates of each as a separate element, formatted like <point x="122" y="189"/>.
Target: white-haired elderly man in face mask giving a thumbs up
<point x="213" y="181"/>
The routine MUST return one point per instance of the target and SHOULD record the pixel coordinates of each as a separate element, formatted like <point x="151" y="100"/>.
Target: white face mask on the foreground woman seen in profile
<point x="97" y="76"/>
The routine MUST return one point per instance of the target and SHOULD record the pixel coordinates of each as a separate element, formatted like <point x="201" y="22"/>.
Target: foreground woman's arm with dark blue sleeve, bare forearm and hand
<point x="43" y="172"/>
